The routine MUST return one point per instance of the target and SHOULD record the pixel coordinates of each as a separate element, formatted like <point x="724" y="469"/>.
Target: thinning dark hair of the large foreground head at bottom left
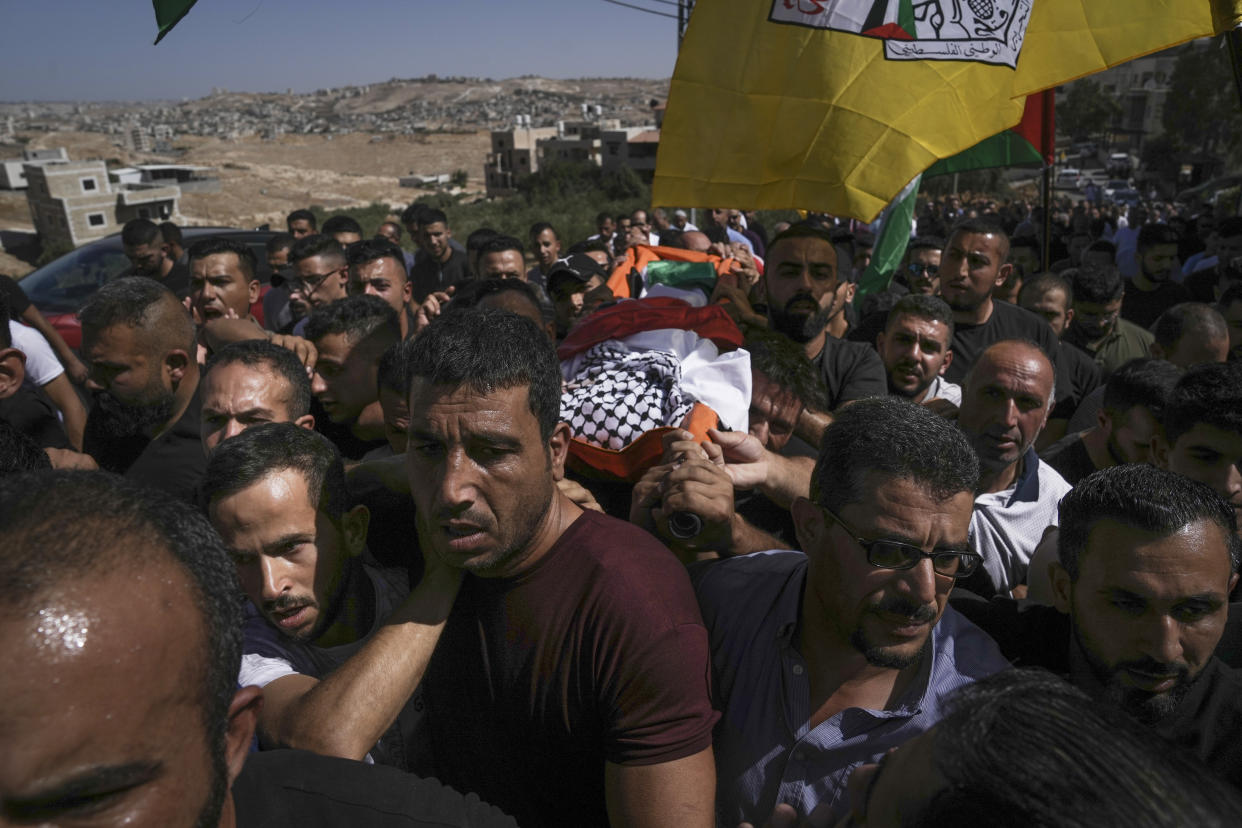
<point x="63" y="527"/>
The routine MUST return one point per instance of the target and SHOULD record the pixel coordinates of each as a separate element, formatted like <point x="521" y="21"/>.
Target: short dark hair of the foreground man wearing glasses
<point x="897" y="439"/>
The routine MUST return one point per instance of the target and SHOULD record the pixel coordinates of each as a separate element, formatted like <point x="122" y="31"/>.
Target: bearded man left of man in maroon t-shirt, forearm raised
<point x="330" y="635"/>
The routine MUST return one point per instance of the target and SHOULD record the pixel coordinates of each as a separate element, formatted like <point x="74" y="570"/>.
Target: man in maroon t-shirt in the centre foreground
<point x="571" y="685"/>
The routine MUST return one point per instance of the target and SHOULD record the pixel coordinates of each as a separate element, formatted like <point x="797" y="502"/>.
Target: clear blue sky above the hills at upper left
<point x="101" y="50"/>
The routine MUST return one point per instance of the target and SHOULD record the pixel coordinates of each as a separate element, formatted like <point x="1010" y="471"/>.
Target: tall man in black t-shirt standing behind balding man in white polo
<point x="973" y="265"/>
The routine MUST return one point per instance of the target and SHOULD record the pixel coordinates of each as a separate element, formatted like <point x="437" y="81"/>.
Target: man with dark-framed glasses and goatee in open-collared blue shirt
<point x="827" y="660"/>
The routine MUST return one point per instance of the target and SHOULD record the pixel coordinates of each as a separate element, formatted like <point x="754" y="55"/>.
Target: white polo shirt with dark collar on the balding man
<point x="1008" y="526"/>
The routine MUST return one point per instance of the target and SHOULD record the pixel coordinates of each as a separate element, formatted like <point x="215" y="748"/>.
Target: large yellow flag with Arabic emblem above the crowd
<point x="836" y="105"/>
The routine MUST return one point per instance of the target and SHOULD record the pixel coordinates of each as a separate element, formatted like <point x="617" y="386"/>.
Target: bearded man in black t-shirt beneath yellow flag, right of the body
<point x="807" y="302"/>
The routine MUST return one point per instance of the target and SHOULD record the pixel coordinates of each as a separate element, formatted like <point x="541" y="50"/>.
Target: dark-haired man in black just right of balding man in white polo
<point x="1130" y="420"/>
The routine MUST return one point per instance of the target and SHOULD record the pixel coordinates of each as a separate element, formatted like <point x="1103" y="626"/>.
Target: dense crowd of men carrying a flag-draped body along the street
<point x="327" y="547"/>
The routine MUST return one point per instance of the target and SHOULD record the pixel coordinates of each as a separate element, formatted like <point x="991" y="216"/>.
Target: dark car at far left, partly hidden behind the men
<point x="60" y="289"/>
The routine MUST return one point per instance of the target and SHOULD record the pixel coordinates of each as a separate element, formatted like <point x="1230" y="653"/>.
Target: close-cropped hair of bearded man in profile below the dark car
<point x="141" y="304"/>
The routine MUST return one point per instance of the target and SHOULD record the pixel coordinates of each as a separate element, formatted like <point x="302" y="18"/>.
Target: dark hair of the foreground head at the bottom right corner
<point x="1033" y="713"/>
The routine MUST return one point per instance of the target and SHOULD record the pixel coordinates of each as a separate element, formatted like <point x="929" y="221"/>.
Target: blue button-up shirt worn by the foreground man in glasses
<point x="766" y="753"/>
